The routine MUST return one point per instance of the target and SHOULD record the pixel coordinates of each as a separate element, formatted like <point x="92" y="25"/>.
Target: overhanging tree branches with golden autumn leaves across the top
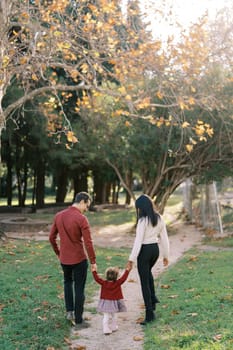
<point x="56" y="48"/>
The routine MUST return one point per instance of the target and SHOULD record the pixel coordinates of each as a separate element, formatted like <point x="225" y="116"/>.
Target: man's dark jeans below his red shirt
<point x="74" y="284"/>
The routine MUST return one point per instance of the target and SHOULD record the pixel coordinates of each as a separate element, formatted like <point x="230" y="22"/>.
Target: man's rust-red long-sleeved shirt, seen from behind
<point x="74" y="233"/>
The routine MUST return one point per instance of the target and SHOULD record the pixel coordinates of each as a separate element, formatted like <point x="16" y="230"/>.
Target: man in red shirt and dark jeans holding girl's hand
<point x="73" y="229"/>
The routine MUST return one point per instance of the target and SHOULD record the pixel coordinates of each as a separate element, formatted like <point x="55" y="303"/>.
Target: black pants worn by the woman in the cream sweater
<point x="147" y="258"/>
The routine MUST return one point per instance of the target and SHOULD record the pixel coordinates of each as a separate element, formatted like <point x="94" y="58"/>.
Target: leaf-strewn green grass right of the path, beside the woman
<point x="196" y="306"/>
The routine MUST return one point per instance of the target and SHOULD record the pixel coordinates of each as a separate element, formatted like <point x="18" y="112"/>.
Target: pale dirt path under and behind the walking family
<point x="130" y="333"/>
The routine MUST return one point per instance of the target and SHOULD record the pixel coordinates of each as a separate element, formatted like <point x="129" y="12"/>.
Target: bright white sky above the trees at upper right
<point x="183" y="11"/>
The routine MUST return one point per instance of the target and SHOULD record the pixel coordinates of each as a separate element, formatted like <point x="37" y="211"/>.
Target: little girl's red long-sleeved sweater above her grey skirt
<point x="111" y="290"/>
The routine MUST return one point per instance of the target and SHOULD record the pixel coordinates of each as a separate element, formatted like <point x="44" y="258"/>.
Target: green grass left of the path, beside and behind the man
<point x="32" y="315"/>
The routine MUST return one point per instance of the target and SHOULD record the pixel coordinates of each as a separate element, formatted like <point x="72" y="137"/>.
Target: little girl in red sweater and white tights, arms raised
<point x="111" y="296"/>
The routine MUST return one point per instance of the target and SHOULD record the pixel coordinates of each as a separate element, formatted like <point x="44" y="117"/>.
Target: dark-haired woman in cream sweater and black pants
<point x="150" y="226"/>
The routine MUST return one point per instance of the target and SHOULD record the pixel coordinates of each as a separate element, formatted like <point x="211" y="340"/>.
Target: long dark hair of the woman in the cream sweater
<point x="145" y="208"/>
